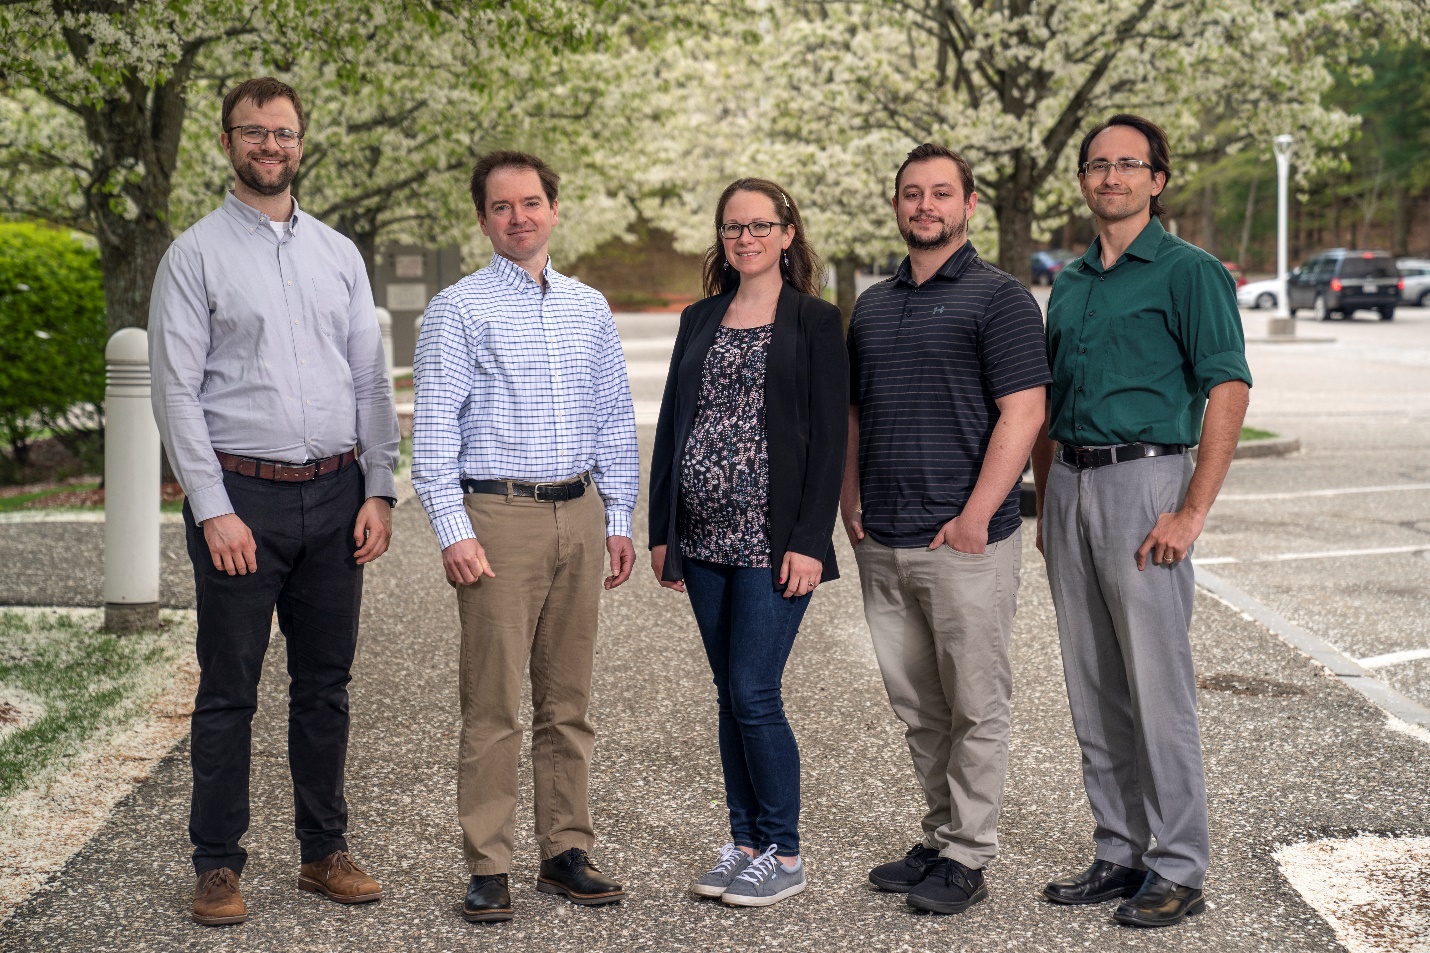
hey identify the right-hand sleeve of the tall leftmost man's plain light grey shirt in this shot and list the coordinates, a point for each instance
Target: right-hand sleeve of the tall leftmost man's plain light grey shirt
(378, 434)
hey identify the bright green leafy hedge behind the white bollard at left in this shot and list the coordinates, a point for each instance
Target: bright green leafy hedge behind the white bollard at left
(52, 336)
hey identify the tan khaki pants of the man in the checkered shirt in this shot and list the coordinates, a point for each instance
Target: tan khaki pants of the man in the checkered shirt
(538, 615)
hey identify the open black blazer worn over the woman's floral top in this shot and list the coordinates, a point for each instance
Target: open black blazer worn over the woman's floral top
(807, 420)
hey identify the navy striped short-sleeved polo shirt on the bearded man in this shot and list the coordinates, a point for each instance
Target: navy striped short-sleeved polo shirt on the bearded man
(926, 366)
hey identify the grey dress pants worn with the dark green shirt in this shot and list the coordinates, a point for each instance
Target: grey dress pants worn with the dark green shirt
(1128, 659)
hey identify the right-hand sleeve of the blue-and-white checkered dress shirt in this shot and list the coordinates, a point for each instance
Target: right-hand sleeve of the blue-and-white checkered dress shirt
(618, 456)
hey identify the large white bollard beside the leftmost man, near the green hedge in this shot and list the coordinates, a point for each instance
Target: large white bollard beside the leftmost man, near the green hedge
(131, 487)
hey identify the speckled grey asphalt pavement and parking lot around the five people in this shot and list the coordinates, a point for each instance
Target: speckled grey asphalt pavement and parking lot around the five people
(1292, 753)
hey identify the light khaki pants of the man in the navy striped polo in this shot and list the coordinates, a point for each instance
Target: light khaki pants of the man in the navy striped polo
(942, 623)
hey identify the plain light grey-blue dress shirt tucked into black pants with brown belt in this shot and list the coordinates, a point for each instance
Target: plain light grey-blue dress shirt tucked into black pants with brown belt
(268, 347)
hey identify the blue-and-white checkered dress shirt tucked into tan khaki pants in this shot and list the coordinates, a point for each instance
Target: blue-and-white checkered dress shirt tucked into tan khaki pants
(517, 384)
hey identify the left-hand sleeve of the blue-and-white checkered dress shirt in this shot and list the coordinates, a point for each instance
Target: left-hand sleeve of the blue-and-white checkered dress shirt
(443, 376)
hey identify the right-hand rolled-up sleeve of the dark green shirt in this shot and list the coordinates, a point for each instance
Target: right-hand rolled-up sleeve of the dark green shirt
(1210, 327)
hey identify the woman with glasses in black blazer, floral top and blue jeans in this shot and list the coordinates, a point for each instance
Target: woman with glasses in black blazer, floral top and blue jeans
(744, 490)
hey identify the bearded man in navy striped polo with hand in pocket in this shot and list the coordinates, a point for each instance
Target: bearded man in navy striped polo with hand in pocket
(947, 370)
